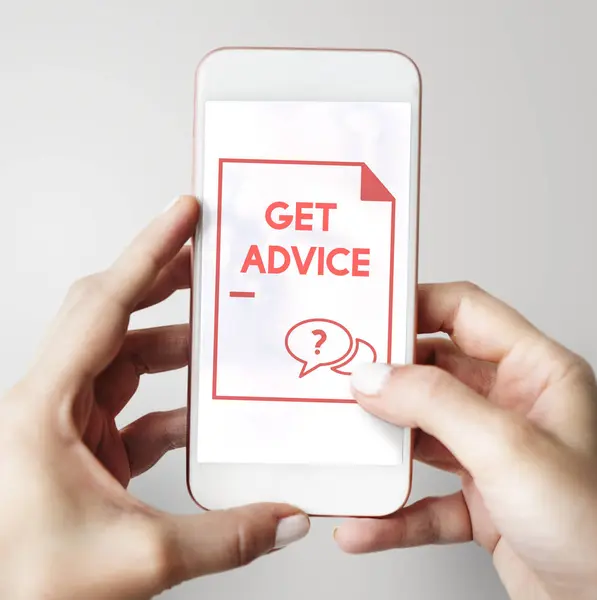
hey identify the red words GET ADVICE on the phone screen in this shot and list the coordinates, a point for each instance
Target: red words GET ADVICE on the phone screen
(305, 216)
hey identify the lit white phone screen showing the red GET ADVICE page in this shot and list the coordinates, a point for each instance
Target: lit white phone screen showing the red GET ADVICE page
(304, 271)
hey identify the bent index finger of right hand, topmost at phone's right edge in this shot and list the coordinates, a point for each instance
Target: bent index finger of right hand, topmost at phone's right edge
(482, 326)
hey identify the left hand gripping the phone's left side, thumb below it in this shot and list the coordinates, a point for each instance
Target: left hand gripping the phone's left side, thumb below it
(69, 528)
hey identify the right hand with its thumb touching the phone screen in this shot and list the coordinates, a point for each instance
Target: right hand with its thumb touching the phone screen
(514, 414)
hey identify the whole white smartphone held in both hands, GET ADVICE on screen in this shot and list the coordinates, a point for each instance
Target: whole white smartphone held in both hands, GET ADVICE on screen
(306, 165)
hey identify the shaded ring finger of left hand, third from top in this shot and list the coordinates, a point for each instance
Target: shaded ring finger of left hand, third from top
(153, 350)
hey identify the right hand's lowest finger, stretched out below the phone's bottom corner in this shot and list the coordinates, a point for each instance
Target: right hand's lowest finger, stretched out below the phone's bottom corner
(442, 520)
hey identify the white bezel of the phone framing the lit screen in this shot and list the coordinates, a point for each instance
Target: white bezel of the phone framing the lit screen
(317, 75)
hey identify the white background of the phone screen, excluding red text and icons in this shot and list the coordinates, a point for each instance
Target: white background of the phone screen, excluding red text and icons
(252, 357)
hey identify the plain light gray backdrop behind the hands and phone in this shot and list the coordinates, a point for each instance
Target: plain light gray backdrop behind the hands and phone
(95, 137)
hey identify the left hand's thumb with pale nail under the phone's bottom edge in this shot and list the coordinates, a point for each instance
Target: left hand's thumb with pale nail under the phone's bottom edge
(222, 540)
